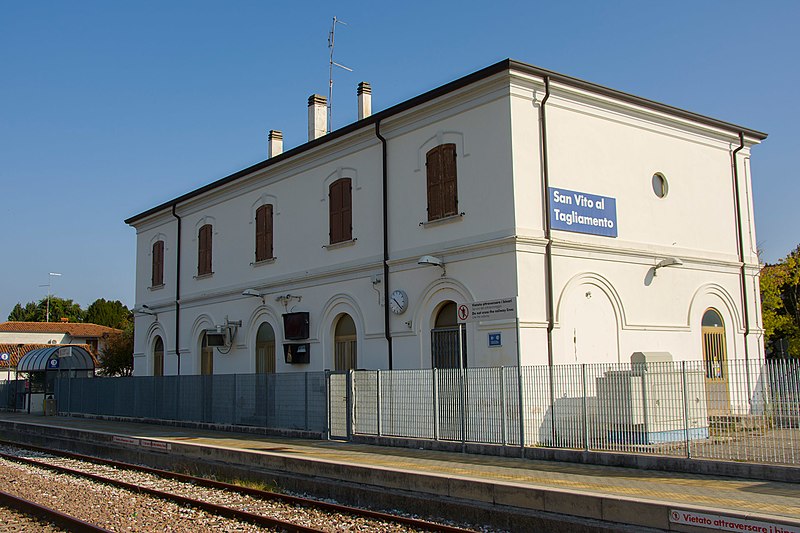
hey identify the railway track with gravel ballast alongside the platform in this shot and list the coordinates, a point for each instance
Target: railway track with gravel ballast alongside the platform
(235, 502)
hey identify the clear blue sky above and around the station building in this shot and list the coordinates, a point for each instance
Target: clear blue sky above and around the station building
(110, 108)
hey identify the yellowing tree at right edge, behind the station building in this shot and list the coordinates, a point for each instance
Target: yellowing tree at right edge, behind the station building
(780, 304)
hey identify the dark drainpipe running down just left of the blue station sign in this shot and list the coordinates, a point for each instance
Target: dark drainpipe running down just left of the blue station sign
(548, 254)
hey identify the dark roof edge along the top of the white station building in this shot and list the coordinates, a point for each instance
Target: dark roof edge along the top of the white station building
(501, 66)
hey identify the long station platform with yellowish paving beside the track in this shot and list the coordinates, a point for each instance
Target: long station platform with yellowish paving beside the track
(512, 493)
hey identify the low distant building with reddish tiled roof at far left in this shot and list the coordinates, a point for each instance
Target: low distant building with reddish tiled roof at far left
(49, 333)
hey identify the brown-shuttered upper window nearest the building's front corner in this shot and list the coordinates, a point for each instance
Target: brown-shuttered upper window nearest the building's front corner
(440, 164)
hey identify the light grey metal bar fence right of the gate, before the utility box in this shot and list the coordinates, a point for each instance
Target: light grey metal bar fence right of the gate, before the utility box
(741, 412)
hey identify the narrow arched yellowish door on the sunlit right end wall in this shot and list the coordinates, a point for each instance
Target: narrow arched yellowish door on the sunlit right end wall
(715, 363)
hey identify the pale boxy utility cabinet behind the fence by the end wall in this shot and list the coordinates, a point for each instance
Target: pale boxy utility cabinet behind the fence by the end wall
(654, 402)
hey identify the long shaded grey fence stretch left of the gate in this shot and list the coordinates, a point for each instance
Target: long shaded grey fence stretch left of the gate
(275, 401)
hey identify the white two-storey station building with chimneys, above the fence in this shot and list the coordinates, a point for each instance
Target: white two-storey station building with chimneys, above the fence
(610, 224)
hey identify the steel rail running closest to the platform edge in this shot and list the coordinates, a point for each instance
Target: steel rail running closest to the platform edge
(261, 494)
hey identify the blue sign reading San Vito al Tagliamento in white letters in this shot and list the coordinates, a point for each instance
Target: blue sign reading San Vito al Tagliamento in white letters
(581, 212)
